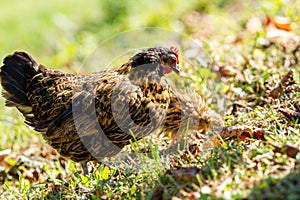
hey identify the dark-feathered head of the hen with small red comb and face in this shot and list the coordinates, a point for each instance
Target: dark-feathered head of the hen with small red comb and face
(164, 59)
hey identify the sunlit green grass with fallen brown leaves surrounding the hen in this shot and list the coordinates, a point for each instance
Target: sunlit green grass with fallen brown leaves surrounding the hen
(61, 34)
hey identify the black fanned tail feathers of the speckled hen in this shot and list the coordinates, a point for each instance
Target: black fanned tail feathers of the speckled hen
(15, 74)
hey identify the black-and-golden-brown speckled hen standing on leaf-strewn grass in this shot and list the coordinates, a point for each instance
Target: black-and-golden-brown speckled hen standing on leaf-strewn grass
(86, 118)
